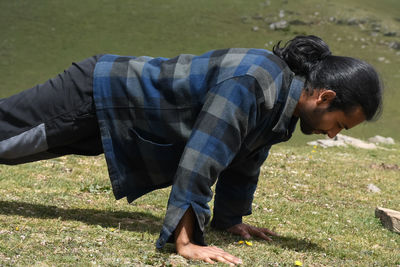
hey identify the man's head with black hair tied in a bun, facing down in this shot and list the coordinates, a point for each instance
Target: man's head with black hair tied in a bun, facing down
(338, 90)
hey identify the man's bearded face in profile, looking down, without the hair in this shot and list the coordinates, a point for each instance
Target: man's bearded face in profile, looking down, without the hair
(321, 121)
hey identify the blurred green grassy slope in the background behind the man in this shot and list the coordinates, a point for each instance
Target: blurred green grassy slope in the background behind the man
(39, 39)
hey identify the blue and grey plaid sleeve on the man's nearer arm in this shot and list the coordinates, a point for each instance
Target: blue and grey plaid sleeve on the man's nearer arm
(228, 114)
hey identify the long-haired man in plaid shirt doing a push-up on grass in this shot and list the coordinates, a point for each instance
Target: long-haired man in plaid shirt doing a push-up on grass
(189, 120)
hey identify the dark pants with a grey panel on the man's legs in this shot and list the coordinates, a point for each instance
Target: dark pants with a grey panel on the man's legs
(52, 119)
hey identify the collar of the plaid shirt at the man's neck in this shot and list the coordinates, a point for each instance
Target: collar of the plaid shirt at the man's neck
(295, 90)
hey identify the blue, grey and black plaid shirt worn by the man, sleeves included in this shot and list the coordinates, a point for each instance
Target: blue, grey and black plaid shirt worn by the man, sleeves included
(189, 120)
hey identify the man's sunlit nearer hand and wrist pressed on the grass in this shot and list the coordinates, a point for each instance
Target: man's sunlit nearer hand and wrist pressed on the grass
(186, 248)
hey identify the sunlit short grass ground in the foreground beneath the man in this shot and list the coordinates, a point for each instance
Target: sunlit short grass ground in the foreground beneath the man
(62, 212)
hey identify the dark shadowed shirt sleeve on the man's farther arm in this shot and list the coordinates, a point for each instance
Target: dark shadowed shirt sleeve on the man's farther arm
(235, 189)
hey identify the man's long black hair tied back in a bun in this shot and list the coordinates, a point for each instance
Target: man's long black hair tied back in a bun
(355, 82)
